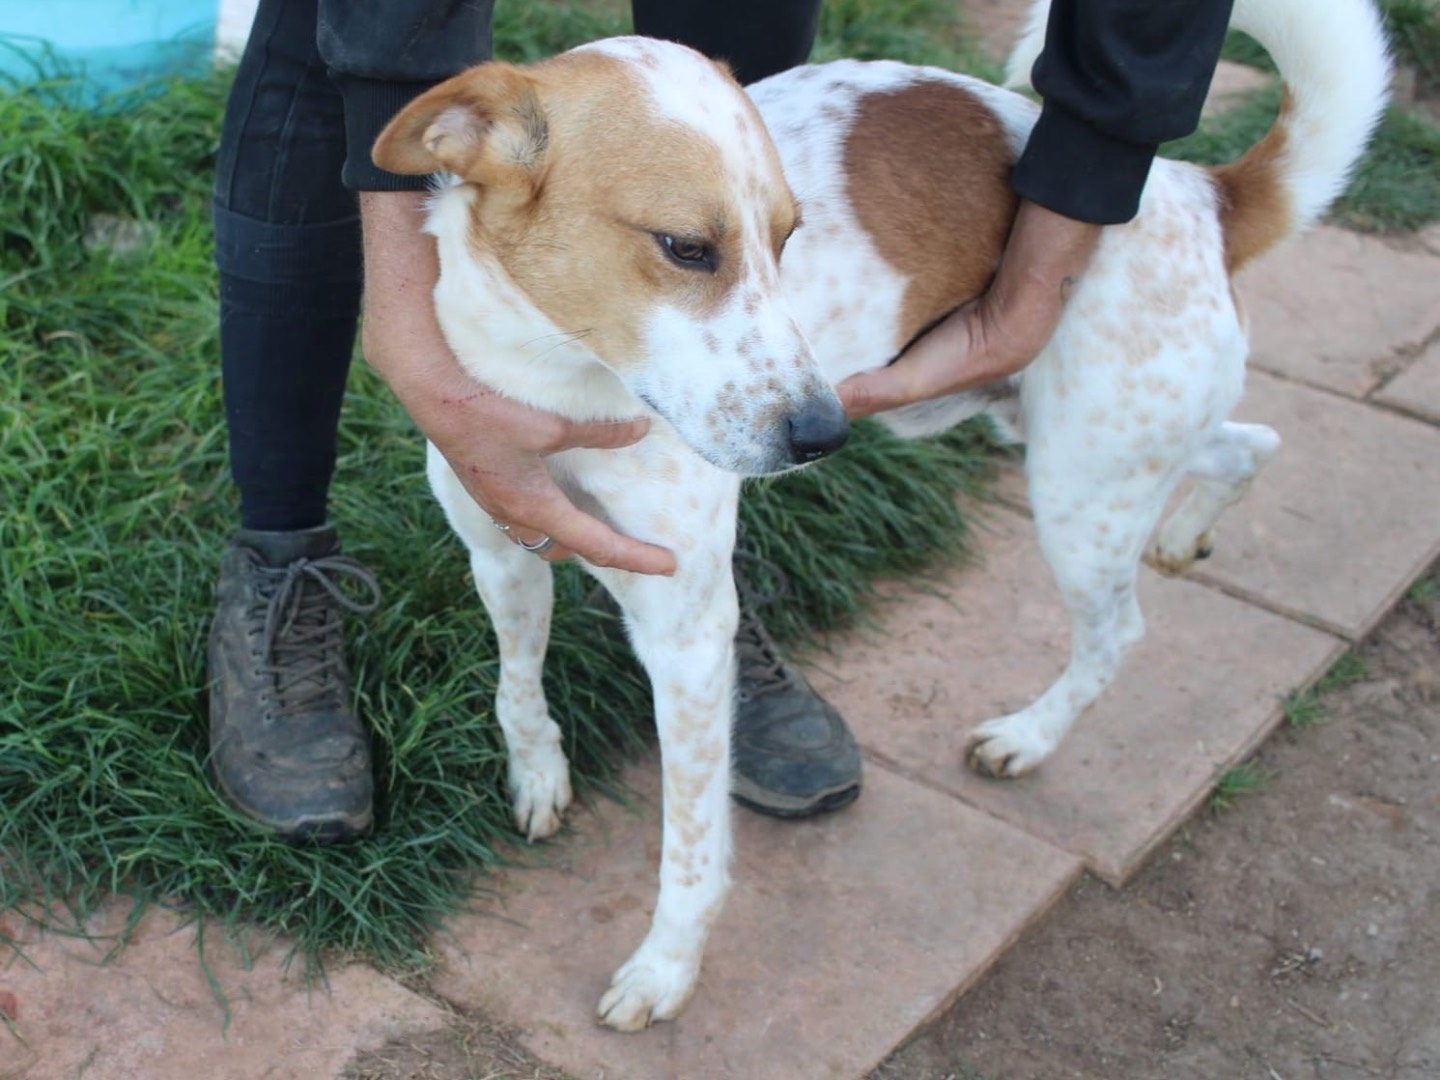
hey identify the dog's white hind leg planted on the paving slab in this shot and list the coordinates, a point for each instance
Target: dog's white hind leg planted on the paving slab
(1092, 536)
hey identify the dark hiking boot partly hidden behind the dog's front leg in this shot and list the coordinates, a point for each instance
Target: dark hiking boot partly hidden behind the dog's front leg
(793, 754)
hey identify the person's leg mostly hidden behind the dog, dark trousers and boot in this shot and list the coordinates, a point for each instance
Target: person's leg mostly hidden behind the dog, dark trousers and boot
(794, 755)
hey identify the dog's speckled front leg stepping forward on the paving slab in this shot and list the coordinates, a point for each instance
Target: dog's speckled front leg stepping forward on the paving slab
(685, 634)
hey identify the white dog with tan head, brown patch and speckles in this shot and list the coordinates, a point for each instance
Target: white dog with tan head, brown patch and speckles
(611, 227)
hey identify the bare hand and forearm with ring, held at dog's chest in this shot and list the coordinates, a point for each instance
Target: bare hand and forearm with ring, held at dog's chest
(496, 446)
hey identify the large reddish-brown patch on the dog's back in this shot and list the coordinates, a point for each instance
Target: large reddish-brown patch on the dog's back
(940, 217)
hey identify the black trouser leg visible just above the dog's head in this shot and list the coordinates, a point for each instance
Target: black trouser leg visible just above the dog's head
(757, 38)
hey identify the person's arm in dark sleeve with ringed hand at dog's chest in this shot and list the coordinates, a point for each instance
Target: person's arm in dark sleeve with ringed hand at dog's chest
(381, 55)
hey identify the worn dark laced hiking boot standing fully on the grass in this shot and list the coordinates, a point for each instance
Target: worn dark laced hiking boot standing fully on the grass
(286, 745)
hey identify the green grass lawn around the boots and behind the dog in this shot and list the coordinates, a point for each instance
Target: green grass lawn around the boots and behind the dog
(117, 502)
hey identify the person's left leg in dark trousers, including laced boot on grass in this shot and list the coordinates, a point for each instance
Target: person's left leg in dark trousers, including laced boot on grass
(287, 748)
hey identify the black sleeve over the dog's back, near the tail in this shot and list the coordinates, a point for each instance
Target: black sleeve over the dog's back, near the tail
(1118, 78)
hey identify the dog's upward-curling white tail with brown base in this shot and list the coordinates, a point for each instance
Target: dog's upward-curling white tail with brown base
(1336, 66)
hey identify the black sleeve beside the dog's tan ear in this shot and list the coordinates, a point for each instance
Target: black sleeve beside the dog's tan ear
(382, 54)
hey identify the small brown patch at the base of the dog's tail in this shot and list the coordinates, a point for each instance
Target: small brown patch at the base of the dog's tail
(1255, 210)
